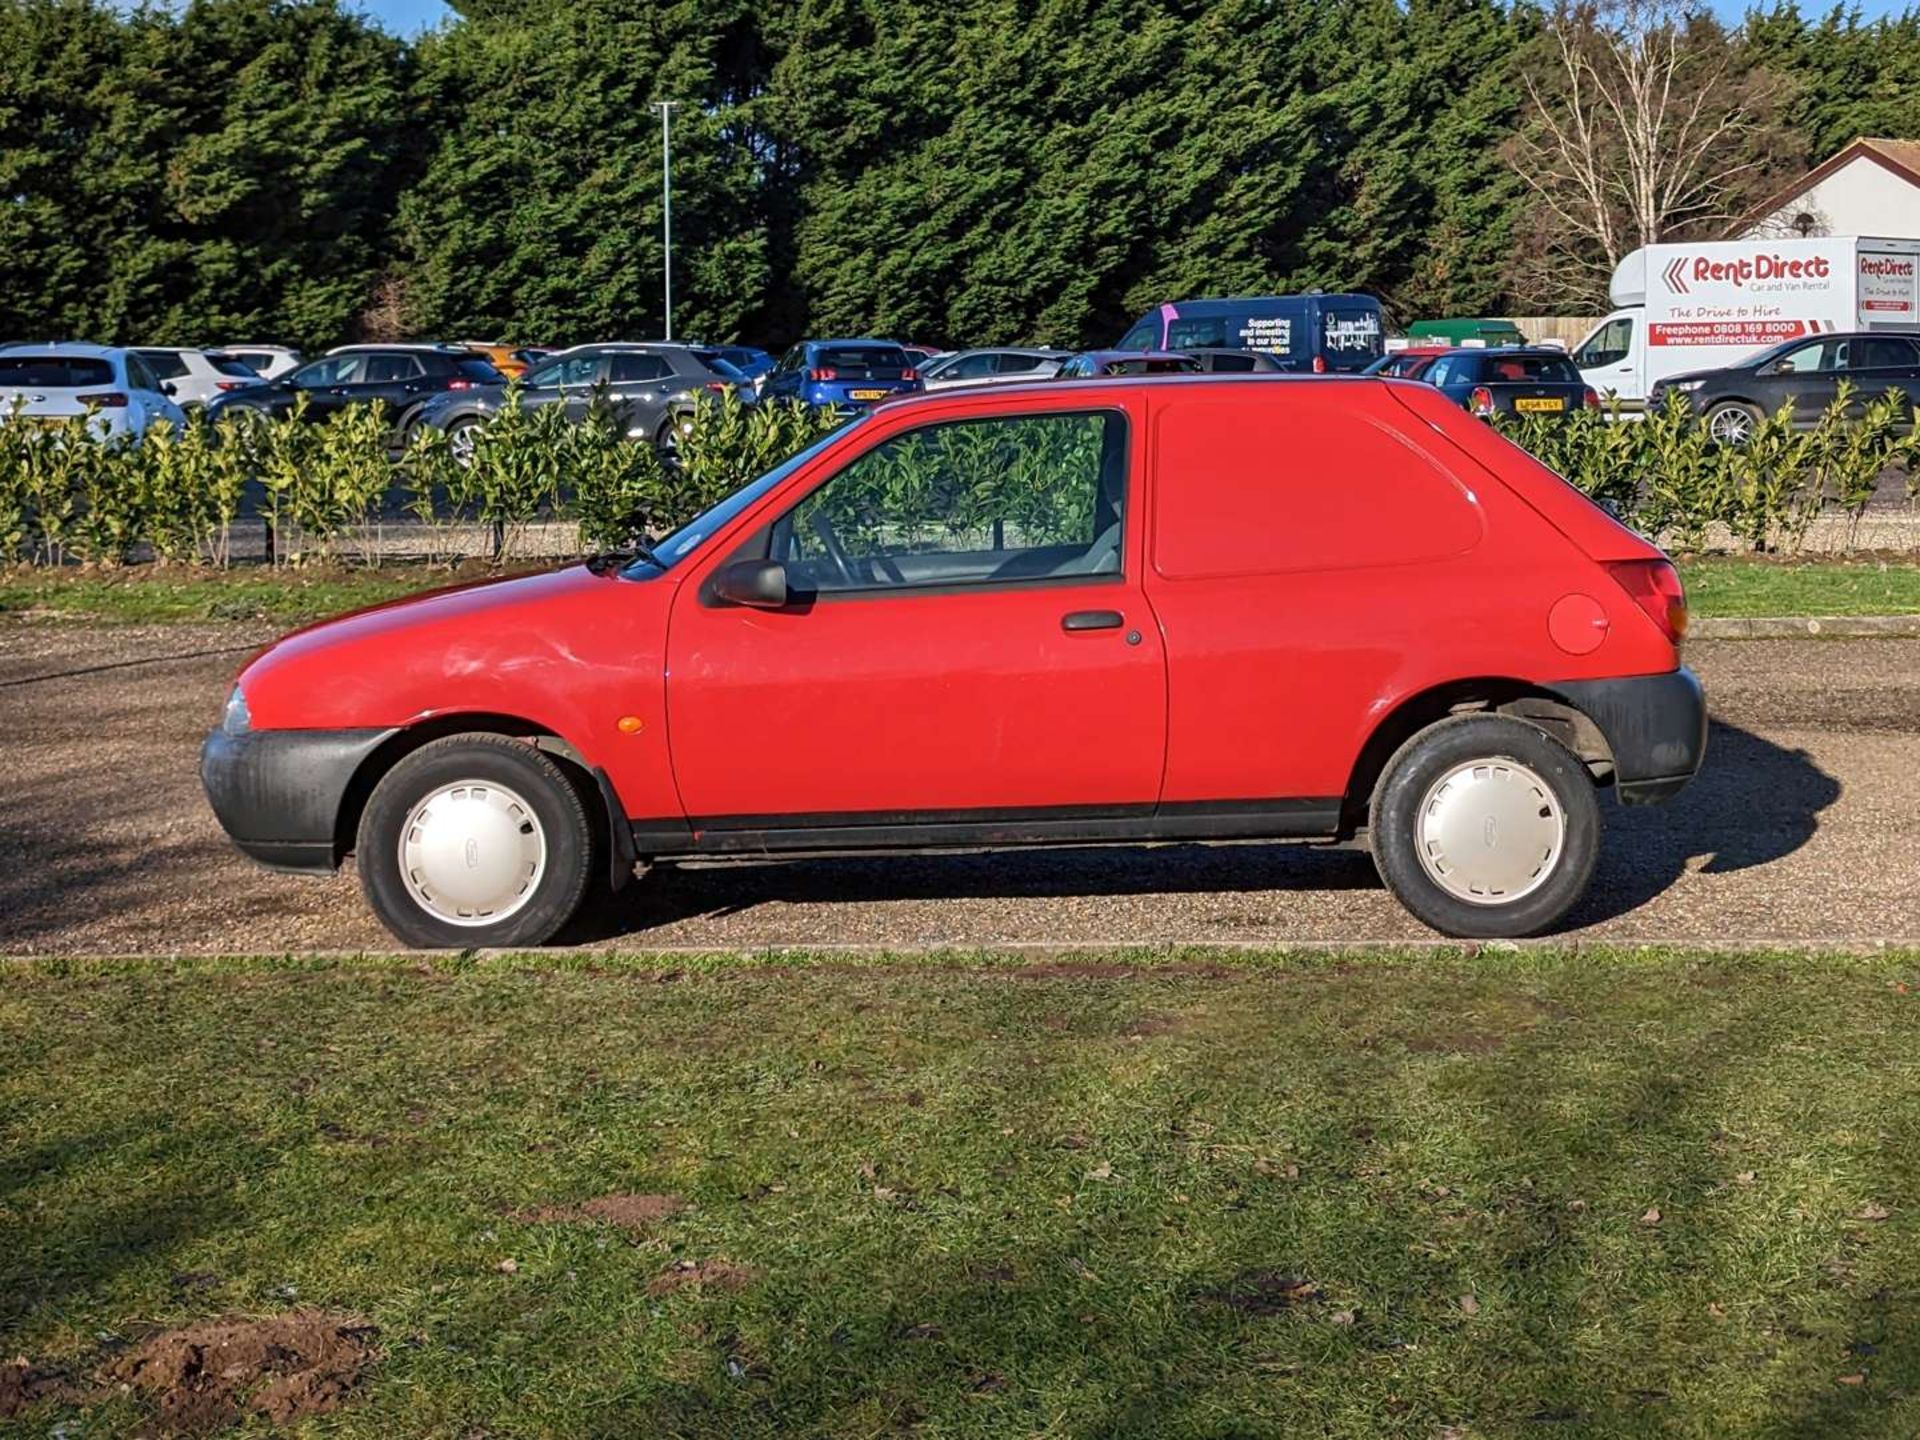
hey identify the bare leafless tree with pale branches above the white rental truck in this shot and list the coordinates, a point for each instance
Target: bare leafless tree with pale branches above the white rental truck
(1643, 122)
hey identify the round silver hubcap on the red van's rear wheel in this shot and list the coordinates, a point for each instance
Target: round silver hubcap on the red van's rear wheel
(1491, 832)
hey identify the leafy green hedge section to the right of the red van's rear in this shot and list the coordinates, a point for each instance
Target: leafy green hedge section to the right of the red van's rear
(1669, 479)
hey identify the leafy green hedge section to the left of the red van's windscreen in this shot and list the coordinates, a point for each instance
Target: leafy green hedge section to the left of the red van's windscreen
(66, 496)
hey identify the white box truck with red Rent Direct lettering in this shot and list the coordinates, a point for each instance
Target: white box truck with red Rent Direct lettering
(1704, 306)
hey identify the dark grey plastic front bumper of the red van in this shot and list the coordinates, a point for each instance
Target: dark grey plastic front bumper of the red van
(277, 794)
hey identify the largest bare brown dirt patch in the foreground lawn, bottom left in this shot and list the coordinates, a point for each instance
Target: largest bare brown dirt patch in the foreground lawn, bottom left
(277, 1368)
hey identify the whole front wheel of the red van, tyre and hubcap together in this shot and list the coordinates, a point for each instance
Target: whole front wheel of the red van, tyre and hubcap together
(475, 842)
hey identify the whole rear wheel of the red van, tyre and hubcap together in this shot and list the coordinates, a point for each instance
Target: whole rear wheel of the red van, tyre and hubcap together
(1487, 828)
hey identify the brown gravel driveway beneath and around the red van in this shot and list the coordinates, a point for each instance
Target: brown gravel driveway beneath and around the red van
(1806, 827)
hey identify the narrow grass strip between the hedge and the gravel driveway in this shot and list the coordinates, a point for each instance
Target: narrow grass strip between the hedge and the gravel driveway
(1717, 587)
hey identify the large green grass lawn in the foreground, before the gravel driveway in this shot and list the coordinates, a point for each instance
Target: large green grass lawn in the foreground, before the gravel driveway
(1502, 1195)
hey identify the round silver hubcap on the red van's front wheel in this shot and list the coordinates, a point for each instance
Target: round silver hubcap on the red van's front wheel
(473, 853)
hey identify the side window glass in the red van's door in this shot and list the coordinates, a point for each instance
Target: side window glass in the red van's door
(986, 502)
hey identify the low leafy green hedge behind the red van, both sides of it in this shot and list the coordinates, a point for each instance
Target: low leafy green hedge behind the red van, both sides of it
(66, 496)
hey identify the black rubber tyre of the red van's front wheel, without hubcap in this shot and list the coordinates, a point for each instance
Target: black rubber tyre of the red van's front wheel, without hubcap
(502, 761)
